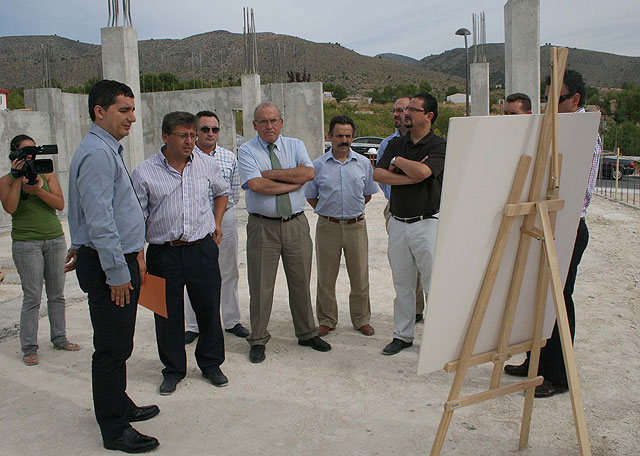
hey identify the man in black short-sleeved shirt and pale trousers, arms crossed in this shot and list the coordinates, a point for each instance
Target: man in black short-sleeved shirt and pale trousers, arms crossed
(412, 165)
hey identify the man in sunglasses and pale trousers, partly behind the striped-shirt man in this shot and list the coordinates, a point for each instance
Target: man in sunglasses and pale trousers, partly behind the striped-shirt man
(207, 130)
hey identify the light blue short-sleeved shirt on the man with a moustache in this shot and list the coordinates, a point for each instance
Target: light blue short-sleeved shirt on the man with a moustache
(341, 187)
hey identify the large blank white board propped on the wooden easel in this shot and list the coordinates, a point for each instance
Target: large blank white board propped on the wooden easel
(481, 160)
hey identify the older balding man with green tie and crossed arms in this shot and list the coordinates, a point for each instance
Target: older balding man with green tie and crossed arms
(273, 170)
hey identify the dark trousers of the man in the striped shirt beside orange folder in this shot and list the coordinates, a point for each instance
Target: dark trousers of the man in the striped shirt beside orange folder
(195, 266)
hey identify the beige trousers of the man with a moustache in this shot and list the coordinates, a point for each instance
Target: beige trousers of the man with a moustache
(331, 240)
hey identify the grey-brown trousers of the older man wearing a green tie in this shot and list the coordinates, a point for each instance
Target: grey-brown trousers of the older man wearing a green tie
(267, 241)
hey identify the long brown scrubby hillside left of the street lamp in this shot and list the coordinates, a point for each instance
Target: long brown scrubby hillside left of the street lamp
(210, 56)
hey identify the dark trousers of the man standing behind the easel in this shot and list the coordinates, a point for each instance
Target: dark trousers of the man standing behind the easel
(551, 365)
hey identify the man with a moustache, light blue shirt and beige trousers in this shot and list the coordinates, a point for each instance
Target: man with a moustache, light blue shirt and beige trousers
(342, 186)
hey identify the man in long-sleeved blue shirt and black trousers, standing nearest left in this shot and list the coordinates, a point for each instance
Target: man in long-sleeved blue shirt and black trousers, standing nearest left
(107, 240)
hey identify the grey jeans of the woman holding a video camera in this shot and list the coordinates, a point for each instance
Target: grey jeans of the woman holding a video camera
(35, 261)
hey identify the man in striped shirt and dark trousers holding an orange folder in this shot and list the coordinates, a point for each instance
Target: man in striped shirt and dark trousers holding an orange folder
(173, 187)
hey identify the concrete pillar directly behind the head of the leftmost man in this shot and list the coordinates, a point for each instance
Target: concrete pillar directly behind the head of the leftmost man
(120, 63)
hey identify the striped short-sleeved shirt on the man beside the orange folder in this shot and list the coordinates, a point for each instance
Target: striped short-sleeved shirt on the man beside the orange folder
(176, 206)
